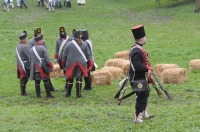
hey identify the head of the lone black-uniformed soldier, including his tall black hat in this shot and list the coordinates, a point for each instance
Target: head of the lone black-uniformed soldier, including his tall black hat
(139, 34)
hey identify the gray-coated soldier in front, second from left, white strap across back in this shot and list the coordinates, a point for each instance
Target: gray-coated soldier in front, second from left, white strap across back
(39, 59)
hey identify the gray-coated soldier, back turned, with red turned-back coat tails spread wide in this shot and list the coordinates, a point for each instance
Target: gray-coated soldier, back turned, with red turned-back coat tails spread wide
(75, 57)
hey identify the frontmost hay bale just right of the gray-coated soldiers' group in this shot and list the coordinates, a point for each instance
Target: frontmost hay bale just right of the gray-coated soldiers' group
(101, 77)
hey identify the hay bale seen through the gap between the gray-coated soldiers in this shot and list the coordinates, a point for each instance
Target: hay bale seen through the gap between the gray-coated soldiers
(57, 72)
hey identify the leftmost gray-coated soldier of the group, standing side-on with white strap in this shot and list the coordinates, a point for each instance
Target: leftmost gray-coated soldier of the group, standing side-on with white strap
(23, 67)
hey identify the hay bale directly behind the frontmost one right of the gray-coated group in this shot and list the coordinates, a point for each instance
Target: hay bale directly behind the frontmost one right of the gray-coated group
(116, 72)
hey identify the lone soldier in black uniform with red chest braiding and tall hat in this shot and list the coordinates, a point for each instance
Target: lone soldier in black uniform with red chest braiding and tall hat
(140, 69)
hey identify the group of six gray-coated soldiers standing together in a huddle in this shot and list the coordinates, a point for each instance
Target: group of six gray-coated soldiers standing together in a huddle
(74, 54)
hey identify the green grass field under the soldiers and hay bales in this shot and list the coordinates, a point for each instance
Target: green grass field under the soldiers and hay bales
(172, 37)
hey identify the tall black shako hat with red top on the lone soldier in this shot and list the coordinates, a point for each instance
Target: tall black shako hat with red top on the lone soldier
(138, 31)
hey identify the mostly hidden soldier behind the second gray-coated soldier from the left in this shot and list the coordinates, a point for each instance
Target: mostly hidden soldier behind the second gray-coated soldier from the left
(32, 42)
